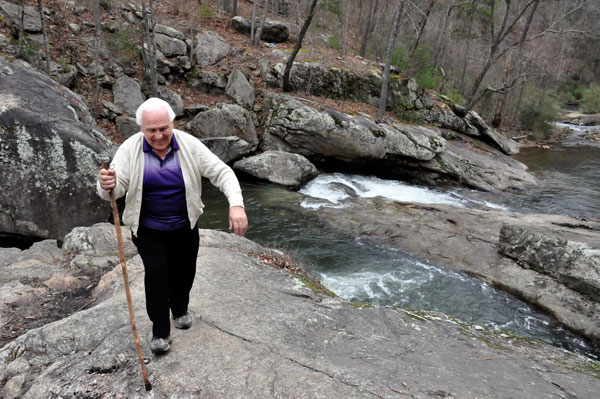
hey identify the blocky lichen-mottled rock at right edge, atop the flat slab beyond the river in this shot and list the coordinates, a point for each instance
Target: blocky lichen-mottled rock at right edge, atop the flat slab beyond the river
(574, 264)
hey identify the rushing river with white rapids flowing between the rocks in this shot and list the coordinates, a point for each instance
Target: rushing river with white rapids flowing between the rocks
(363, 272)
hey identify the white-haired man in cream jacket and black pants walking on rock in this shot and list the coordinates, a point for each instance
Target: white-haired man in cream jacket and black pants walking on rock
(160, 169)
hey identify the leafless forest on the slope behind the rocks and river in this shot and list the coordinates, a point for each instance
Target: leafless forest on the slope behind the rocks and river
(519, 63)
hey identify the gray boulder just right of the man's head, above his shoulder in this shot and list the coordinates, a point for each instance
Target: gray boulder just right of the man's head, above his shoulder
(222, 121)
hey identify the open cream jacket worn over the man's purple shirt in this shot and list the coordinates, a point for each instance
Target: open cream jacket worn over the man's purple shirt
(196, 161)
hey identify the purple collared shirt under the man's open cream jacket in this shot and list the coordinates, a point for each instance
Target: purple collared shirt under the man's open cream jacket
(163, 195)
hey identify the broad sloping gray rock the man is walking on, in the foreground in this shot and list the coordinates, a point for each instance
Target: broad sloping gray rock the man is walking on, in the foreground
(260, 332)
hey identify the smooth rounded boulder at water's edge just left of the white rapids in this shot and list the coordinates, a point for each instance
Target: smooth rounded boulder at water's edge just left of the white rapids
(278, 167)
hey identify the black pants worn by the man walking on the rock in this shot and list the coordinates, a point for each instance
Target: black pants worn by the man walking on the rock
(169, 258)
